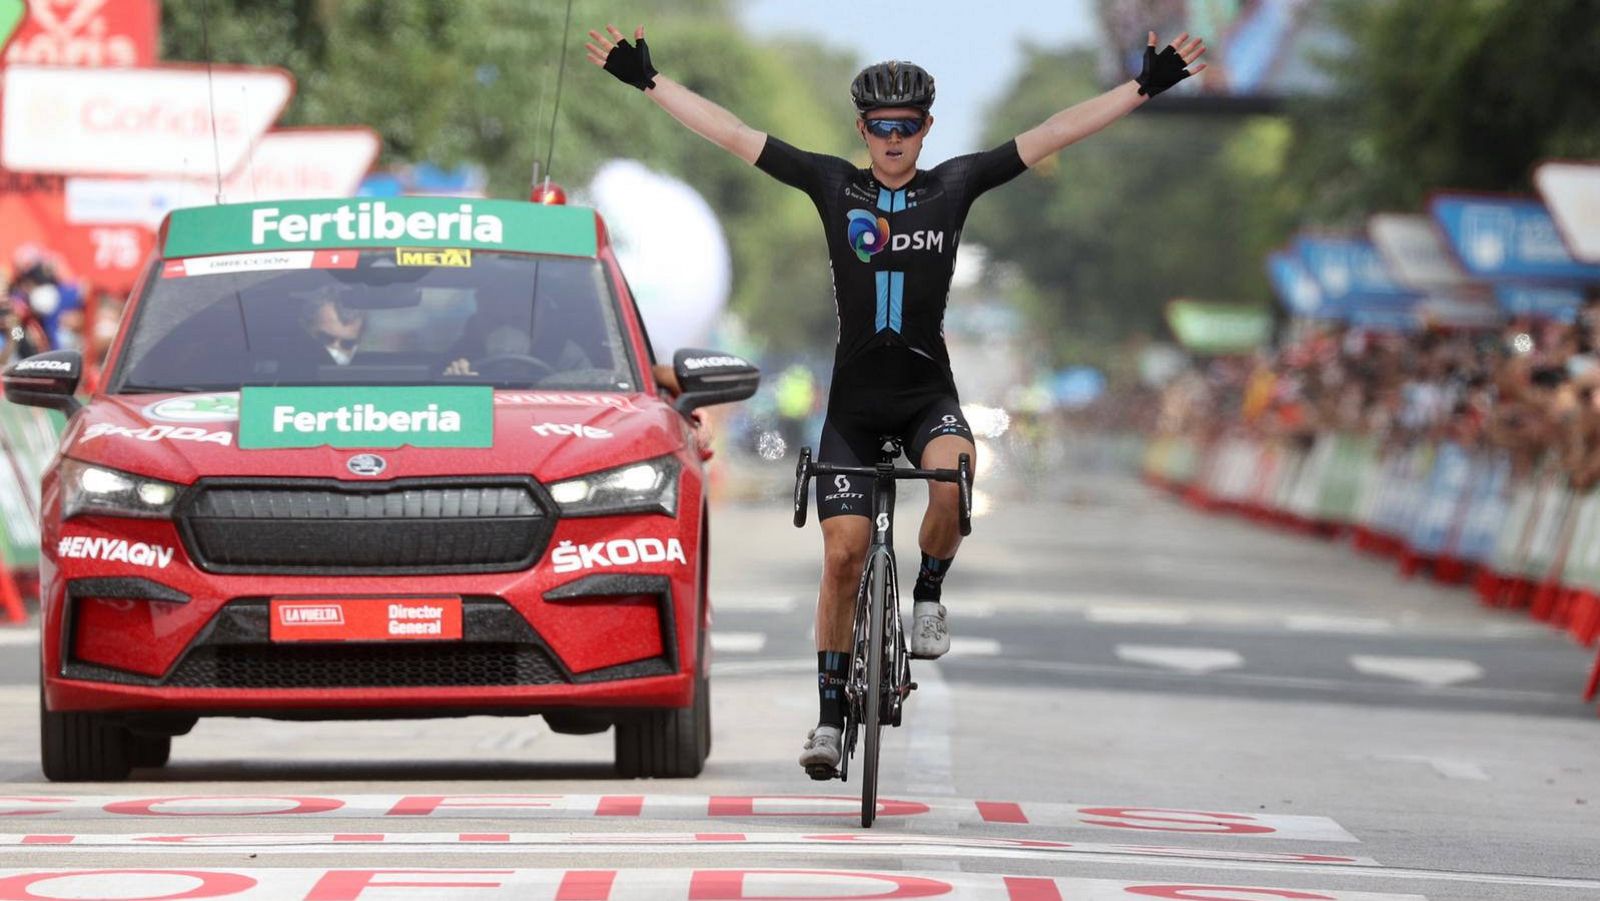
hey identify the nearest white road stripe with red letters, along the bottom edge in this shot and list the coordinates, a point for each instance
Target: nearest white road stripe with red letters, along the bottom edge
(311, 884)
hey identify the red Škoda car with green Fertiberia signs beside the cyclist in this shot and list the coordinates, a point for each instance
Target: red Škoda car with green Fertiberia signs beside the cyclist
(377, 459)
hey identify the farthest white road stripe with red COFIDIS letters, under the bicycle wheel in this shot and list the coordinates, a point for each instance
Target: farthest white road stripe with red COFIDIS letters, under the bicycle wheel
(761, 809)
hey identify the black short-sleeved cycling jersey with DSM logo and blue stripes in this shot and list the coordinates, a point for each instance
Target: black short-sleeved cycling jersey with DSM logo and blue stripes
(892, 252)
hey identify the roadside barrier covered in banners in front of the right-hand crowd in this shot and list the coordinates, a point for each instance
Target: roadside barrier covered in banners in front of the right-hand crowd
(1460, 516)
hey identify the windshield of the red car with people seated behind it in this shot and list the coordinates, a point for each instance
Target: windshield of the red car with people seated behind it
(414, 318)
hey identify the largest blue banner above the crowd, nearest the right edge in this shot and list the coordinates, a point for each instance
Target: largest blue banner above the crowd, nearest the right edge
(1508, 238)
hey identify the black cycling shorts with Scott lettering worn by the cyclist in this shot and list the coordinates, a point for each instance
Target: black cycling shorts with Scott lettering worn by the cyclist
(908, 398)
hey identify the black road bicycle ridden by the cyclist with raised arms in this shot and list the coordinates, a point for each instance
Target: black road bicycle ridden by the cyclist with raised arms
(879, 679)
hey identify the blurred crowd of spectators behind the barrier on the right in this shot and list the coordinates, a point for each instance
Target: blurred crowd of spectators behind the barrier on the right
(1527, 390)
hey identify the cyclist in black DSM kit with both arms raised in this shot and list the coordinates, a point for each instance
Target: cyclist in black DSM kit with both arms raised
(892, 233)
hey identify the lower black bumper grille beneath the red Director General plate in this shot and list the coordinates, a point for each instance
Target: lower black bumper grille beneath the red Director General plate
(366, 667)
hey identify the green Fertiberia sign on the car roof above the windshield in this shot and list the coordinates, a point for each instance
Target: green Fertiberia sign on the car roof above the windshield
(394, 222)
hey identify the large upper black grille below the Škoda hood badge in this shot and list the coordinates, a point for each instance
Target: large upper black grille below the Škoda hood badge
(394, 529)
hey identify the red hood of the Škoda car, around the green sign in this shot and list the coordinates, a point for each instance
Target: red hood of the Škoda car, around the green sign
(548, 434)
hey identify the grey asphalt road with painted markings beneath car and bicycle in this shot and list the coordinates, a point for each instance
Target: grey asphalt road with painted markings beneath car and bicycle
(1142, 703)
